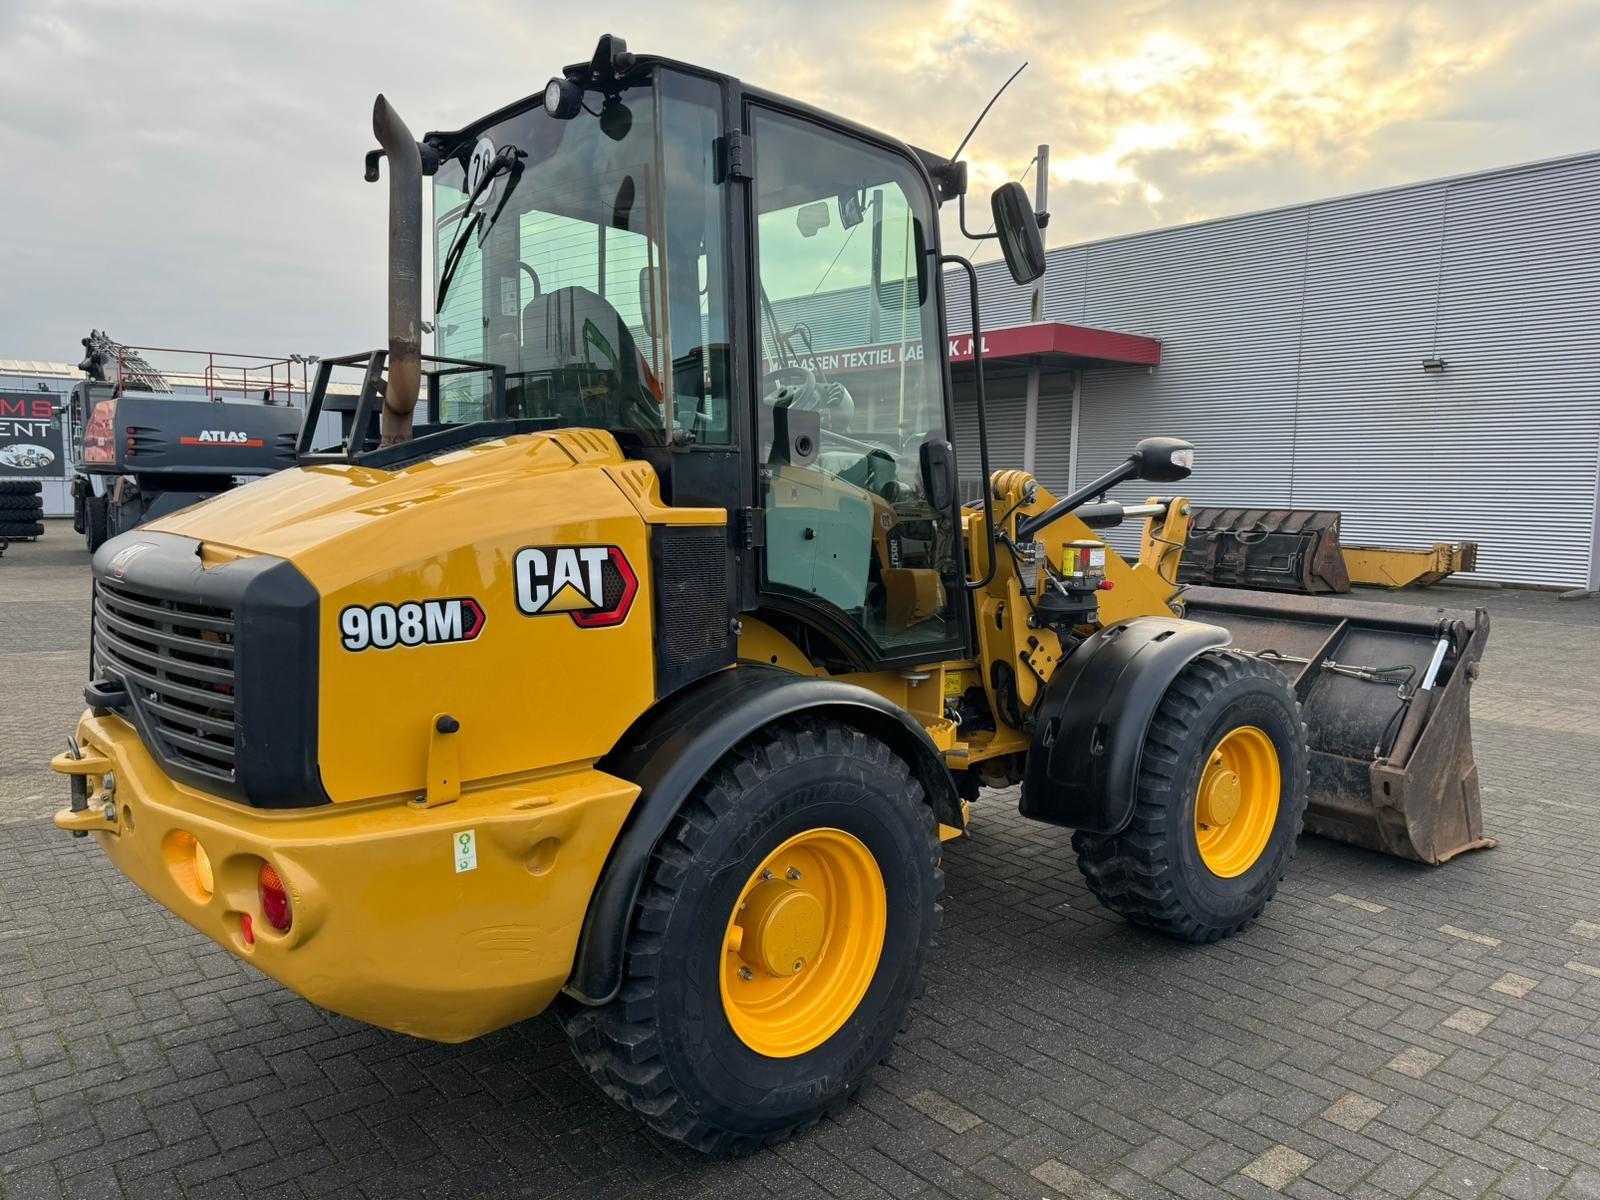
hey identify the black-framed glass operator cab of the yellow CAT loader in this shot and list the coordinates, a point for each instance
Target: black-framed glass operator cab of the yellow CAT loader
(742, 290)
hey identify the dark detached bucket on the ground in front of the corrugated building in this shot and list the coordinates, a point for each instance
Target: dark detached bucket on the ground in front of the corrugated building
(1279, 550)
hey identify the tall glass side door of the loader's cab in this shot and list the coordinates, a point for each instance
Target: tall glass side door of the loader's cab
(852, 390)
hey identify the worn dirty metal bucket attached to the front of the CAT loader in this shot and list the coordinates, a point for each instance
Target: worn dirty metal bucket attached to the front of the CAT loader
(1386, 695)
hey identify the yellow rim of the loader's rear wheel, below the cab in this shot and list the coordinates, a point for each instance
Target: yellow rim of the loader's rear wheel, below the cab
(802, 943)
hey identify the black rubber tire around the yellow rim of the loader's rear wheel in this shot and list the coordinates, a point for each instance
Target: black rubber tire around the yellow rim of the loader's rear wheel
(665, 1047)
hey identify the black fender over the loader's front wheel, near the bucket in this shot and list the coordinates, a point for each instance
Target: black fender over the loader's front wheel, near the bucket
(1084, 764)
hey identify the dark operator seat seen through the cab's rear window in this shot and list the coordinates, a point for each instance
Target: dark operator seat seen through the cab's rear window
(578, 330)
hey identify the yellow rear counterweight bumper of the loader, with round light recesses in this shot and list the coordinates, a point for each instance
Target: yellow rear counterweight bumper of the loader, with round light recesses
(393, 924)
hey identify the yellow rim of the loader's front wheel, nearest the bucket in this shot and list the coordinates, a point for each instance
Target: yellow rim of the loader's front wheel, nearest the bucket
(1238, 801)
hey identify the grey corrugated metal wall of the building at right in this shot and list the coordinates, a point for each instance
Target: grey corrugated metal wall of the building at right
(1294, 345)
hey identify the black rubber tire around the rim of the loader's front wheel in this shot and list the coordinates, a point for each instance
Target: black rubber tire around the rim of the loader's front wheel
(1153, 873)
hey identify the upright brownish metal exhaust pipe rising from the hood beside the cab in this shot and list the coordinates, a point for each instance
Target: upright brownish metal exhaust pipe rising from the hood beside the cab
(406, 271)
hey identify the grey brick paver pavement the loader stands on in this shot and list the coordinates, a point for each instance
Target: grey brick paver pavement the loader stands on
(1386, 1031)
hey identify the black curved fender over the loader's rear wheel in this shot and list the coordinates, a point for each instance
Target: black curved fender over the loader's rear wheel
(671, 750)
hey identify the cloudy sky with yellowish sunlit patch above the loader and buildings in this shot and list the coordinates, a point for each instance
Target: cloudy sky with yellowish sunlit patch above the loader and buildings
(190, 172)
